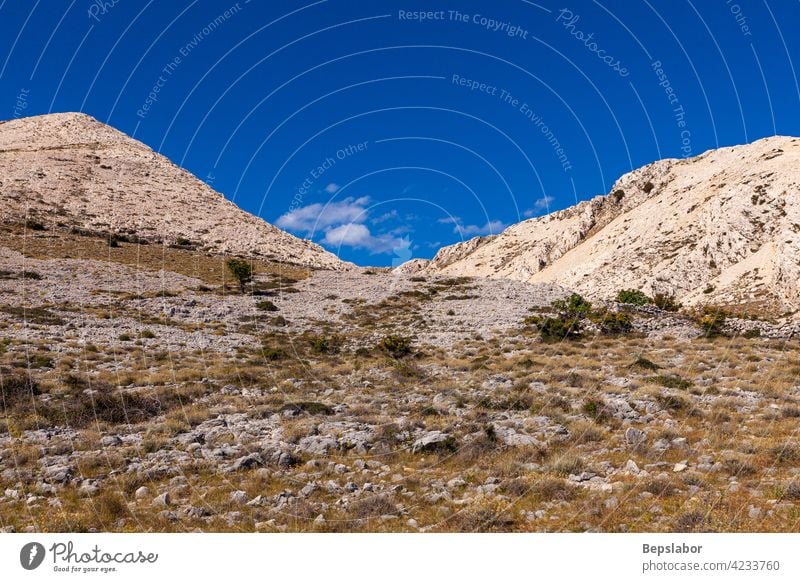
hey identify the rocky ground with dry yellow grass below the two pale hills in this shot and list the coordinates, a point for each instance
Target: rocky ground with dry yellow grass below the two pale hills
(142, 391)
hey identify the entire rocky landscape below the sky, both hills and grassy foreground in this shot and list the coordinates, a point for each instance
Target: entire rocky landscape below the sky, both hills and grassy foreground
(169, 362)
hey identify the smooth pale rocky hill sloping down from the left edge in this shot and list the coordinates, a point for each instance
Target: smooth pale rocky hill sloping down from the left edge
(69, 170)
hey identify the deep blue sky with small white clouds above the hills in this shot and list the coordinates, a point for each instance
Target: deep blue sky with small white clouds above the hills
(384, 130)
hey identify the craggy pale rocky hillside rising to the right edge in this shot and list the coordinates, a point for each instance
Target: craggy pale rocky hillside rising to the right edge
(722, 228)
